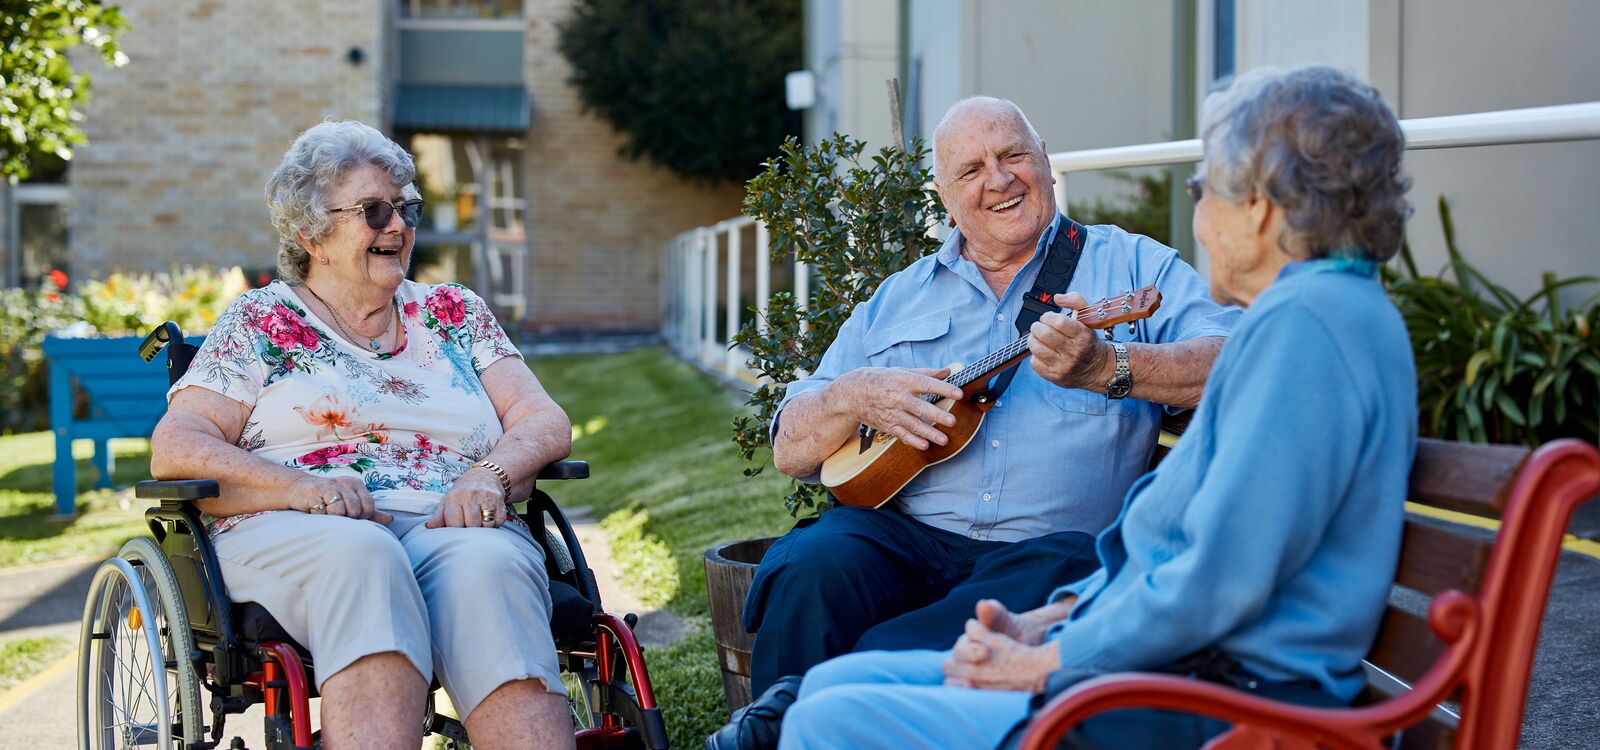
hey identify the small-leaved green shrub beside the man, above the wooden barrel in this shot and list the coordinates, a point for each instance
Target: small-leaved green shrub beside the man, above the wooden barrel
(855, 225)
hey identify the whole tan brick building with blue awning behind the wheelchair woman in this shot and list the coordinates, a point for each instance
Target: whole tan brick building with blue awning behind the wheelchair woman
(529, 201)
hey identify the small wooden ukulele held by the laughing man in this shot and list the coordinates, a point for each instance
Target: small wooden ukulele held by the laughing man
(871, 468)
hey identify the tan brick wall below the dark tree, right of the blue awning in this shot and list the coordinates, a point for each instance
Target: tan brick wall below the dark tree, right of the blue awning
(598, 223)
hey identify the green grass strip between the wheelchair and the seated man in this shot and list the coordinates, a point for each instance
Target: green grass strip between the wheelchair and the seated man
(668, 485)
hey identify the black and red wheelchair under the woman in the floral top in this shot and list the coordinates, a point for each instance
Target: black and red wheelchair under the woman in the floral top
(166, 656)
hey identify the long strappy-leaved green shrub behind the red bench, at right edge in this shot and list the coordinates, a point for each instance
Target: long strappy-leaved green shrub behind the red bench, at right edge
(1497, 369)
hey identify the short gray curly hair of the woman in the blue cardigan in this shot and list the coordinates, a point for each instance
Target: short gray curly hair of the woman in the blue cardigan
(1322, 146)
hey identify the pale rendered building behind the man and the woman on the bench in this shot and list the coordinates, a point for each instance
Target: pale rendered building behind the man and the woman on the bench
(1095, 74)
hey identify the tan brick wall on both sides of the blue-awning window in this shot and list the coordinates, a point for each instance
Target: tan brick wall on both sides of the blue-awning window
(183, 138)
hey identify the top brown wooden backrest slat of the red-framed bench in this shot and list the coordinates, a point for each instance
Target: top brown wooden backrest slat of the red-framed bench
(1471, 479)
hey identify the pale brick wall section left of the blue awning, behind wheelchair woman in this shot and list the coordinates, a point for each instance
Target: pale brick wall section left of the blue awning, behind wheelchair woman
(183, 138)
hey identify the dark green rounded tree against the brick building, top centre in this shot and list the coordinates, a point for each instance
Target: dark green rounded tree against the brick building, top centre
(695, 86)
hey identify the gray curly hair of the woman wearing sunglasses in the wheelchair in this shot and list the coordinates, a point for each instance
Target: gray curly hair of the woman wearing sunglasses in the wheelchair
(316, 164)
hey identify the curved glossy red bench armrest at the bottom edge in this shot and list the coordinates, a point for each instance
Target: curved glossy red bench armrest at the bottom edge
(1257, 722)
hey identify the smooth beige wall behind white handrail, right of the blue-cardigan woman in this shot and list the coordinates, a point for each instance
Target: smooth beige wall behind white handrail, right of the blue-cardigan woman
(1519, 210)
